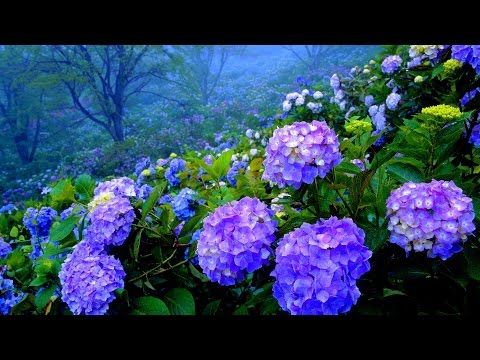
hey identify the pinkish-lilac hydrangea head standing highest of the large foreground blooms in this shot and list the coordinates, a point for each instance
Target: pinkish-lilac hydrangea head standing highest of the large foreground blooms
(300, 152)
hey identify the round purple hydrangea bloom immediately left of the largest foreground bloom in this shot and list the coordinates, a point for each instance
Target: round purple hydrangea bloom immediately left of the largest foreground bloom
(235, 240)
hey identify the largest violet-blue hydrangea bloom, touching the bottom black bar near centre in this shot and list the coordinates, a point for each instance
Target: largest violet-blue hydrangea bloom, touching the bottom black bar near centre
(318, 265)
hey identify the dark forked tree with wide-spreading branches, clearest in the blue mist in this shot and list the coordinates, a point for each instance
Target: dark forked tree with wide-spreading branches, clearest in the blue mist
(101, 79)
